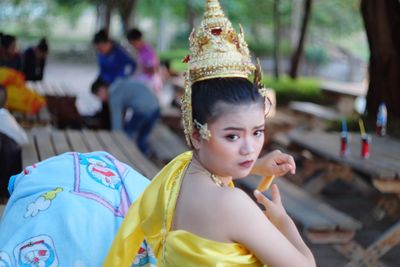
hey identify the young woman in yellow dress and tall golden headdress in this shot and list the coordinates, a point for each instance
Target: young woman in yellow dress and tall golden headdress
(191, 215)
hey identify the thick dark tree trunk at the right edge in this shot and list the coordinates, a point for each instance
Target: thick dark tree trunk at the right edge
(381, 21)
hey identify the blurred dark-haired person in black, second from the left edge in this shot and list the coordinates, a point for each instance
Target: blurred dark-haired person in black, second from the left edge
(34, 61)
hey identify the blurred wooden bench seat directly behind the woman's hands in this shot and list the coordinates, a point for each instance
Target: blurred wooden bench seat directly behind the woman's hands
(322, 224)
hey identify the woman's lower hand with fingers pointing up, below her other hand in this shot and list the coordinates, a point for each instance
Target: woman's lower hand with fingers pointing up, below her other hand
(274, 209)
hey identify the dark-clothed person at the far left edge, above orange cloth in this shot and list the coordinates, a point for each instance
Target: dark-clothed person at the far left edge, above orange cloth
(10, 56)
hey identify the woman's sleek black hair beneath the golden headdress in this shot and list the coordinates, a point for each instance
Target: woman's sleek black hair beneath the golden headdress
(206, 94)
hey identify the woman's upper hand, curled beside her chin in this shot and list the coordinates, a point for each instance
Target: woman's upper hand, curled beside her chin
(274, 163)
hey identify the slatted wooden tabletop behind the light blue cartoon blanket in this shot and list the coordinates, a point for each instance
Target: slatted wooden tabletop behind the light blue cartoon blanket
(45, 143)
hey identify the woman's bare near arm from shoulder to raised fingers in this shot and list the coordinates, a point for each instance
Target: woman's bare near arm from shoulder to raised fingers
(271, 236)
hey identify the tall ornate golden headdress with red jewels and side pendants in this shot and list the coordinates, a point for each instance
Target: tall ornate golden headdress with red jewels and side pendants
(216, 50)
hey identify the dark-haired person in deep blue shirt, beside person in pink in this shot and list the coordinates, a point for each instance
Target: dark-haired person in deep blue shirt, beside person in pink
(114, 61)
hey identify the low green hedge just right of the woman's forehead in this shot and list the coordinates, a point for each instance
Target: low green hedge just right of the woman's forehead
(301, 89)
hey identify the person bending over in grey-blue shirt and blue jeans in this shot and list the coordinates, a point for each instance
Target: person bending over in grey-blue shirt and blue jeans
(125, 94)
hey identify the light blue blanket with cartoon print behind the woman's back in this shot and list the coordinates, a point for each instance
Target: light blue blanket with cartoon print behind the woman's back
(66, 210)
